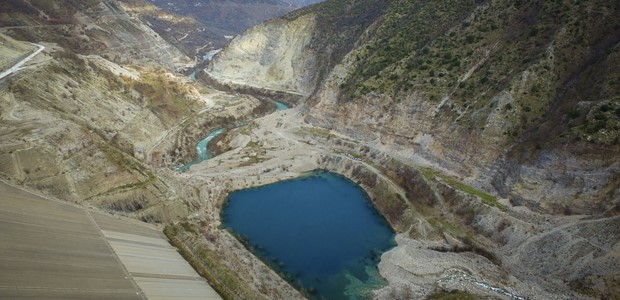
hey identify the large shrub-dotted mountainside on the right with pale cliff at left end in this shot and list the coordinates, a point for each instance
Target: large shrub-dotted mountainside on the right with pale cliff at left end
(517, 97)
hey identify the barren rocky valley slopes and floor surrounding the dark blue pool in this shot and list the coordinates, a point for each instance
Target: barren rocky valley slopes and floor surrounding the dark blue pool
(505, 187)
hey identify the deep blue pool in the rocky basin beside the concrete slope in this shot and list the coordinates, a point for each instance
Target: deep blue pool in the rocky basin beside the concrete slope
(320, 232)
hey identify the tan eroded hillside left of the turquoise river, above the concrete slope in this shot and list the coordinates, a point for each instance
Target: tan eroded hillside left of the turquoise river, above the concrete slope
(91, 117)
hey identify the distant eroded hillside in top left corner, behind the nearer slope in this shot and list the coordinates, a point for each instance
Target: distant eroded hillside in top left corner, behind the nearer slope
(88, 27)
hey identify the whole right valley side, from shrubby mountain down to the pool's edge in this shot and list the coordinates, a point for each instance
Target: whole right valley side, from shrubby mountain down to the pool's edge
(499, 120)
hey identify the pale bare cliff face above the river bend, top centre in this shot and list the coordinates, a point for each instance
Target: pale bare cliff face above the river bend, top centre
(273, 55)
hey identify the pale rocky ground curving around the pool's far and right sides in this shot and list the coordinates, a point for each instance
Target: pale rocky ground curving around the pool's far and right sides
(497, 251)
